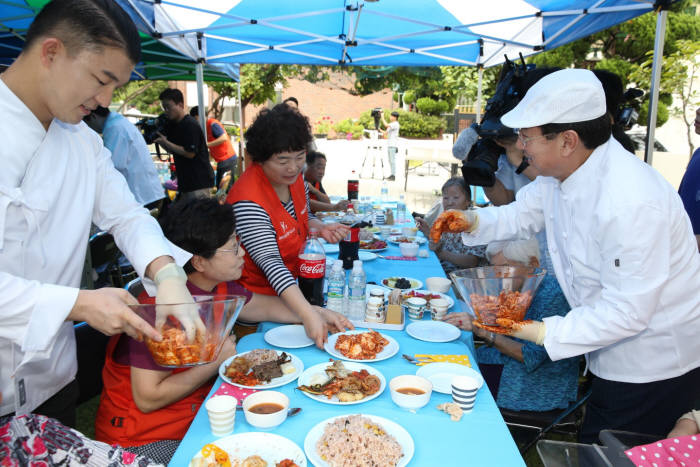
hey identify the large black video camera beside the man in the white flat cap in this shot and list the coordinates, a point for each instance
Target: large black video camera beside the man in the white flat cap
(482, 155)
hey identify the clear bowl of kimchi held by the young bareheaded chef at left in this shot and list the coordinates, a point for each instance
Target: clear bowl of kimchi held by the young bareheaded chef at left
(218, 313)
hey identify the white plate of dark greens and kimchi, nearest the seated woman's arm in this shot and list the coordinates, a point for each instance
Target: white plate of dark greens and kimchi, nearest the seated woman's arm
(261, 369)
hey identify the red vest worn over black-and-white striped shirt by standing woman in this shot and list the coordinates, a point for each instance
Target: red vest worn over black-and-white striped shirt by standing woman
(254, 186)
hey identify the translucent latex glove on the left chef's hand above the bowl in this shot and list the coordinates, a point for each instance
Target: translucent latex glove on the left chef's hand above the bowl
(172, 289)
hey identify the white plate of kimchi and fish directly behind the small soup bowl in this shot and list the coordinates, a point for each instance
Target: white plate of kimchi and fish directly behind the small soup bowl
(341, 383)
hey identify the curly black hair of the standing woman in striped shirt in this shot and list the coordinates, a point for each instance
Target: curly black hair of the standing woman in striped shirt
(279, 129)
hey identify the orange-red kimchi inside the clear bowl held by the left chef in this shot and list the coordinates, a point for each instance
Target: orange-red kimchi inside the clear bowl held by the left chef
(174, 350)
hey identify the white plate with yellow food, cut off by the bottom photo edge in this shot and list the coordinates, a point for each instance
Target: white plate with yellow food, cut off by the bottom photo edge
(254, 449)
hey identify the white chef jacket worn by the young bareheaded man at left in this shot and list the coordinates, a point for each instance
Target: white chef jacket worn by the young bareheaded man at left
(52, 185)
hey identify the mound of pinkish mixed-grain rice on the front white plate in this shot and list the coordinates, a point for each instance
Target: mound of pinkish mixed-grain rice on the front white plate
(356, 441)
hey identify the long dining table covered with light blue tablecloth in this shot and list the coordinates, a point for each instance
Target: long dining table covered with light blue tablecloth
(480, 438)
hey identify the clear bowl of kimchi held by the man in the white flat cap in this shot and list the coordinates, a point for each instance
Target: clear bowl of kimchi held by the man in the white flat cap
(499, 295)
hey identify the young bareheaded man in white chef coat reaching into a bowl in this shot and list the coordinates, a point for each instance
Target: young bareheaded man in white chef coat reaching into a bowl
(56, 179)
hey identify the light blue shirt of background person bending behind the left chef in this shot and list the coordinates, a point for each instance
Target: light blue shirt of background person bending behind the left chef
(132, 158)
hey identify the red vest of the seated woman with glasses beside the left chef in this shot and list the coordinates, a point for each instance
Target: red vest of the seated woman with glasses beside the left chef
(119, 420)
